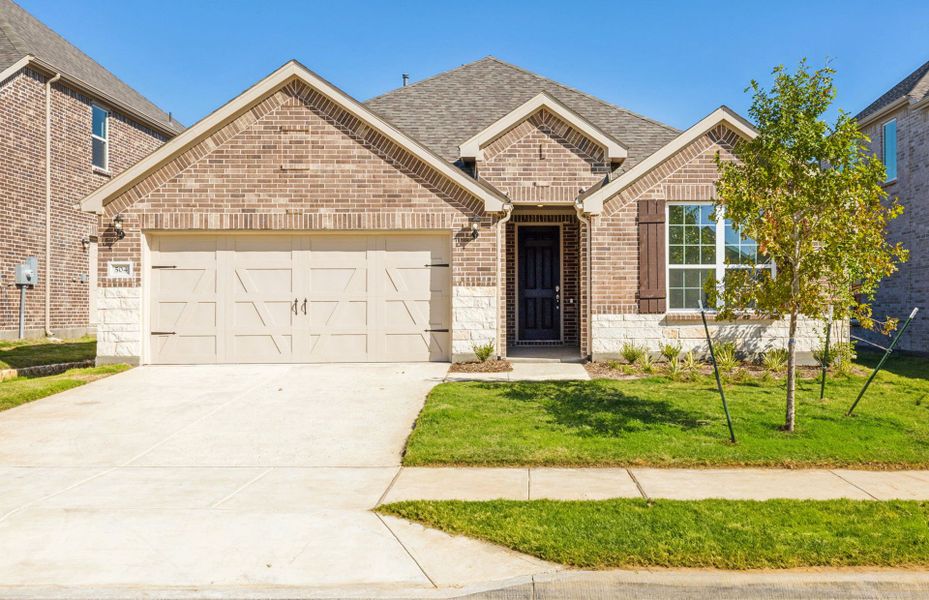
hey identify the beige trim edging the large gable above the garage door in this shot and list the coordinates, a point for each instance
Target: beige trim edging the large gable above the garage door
(291, 71)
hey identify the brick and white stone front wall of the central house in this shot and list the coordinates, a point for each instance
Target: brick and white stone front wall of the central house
(295, 160)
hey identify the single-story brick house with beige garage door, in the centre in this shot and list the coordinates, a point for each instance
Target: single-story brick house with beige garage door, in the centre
(483, 205)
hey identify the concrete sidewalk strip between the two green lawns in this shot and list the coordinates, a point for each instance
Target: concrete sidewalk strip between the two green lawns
(451, 483)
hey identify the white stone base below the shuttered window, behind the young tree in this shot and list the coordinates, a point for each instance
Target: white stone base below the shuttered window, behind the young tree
(752, 338)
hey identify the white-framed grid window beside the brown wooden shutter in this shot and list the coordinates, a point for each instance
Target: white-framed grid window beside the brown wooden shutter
(702, 245)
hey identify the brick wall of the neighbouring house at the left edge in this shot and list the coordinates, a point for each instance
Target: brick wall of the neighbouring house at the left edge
(22, 181)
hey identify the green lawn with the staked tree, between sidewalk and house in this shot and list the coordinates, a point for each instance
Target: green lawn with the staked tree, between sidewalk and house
(656, 421)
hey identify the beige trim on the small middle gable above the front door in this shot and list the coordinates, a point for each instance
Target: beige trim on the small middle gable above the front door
(473, 148)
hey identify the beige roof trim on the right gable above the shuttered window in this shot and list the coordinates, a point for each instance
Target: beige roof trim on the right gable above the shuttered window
(723, 115)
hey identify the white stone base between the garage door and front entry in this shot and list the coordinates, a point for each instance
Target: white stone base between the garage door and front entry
(474, 319)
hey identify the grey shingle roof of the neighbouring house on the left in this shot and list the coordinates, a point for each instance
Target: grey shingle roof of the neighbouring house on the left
(21, 34)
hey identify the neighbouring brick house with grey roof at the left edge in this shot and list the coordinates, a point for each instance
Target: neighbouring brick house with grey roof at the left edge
(57, 102)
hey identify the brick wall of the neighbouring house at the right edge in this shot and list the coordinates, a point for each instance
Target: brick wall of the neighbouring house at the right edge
(909, 286)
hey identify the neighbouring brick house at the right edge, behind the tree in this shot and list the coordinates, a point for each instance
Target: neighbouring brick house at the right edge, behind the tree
(898, 125)
